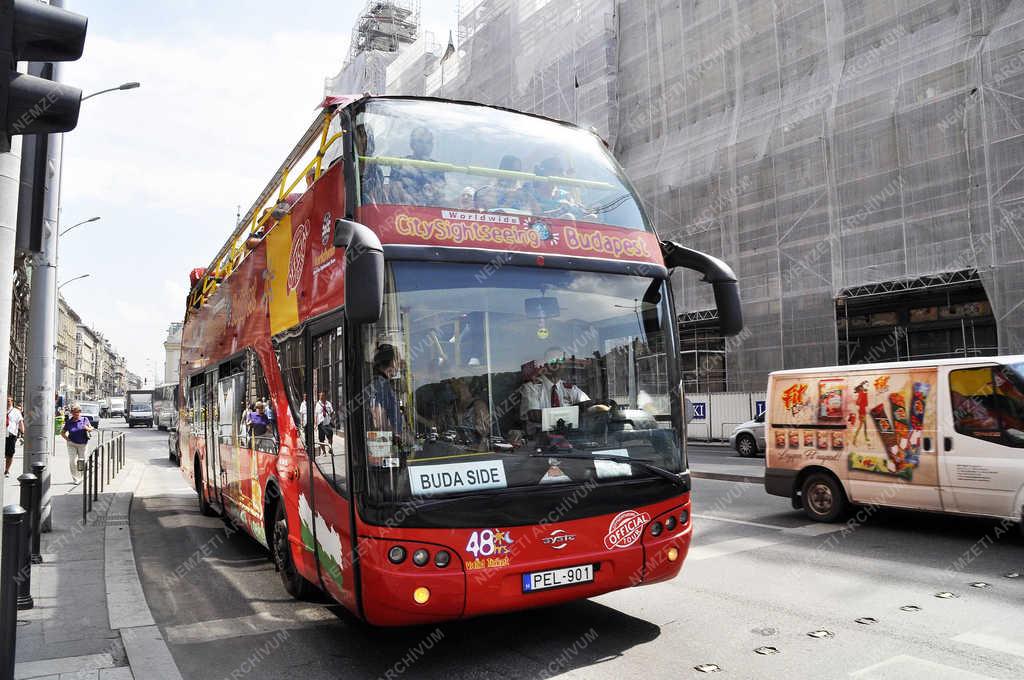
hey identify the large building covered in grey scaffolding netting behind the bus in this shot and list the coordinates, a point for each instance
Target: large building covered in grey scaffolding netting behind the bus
(860, 164)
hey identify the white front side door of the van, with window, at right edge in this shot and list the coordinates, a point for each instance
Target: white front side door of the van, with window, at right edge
(983, 448)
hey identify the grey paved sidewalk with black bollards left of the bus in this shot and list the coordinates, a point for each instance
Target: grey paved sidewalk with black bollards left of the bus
(91, 619)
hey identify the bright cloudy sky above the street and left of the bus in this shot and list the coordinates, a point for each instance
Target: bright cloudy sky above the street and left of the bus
(227, 90)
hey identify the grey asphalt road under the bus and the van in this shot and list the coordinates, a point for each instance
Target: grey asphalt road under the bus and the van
(760, 577)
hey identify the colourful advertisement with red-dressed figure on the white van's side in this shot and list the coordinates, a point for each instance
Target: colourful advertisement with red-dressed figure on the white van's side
(864, 426)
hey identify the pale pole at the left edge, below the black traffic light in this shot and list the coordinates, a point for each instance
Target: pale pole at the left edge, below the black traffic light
(11, 169)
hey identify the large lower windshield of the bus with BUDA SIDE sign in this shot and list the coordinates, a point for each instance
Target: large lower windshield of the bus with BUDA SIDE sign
(486, 379)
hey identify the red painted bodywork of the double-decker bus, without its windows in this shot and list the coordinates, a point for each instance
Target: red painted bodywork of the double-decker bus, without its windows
(295, 275)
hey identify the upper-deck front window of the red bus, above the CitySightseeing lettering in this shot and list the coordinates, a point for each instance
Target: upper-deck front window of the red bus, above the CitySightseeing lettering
(444, 155)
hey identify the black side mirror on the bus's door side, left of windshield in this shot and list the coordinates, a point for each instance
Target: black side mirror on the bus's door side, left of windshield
(364, 271)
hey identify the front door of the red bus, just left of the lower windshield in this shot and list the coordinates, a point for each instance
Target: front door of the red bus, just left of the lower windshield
(328, 442)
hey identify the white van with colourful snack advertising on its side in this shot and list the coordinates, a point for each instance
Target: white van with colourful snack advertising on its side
(946, 436)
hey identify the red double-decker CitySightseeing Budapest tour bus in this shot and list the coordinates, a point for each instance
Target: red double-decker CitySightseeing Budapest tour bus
(436, 370)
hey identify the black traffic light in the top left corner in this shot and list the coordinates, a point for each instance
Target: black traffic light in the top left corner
(34, 31)
